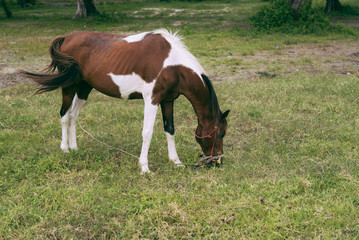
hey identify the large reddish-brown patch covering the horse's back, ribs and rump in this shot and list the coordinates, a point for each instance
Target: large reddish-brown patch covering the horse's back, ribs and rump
(99, 54)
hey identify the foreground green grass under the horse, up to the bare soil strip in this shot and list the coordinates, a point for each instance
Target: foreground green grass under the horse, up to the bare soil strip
(292, 141)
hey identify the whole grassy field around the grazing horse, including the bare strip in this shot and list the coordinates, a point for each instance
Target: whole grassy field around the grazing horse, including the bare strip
(291, 153)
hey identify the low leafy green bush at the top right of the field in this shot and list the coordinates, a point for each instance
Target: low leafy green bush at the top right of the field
(278, 16)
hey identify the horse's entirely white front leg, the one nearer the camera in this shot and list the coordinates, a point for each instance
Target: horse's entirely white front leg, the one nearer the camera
(148, 123)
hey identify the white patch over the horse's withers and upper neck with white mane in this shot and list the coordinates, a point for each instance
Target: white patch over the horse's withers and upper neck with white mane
(179, 55)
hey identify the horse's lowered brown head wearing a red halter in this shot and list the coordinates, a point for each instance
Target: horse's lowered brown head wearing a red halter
(211, 138)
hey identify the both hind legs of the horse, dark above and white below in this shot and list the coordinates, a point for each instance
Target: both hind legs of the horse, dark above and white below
(74, 98)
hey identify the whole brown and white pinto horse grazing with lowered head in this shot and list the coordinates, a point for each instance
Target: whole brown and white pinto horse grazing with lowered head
(154, 66)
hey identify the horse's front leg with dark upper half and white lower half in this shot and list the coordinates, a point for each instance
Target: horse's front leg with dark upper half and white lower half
(167, 115)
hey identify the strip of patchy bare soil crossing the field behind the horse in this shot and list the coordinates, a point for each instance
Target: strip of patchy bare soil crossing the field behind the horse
(339, 57)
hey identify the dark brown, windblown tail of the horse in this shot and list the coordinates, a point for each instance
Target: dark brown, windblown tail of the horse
(68, 70)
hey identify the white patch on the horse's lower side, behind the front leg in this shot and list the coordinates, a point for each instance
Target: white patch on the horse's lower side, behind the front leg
(128, 83)
